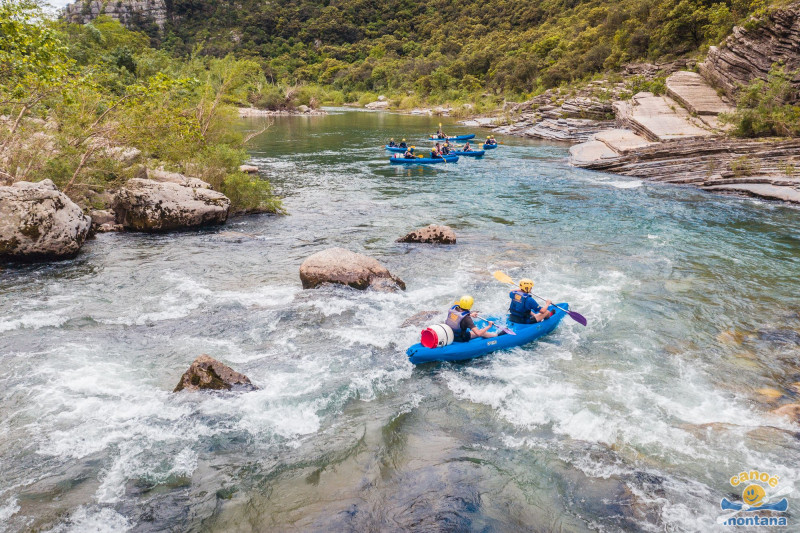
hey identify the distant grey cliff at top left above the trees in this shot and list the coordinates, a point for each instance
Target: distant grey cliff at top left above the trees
(131, 13)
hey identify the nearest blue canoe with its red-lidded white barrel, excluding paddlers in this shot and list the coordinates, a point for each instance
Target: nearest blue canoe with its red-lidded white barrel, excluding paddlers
(439, 345)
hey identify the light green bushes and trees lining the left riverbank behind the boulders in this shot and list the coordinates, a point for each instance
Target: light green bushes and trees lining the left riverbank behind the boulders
(78, 101)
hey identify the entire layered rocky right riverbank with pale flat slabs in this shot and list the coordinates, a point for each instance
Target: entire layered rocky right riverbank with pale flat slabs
(677, 136)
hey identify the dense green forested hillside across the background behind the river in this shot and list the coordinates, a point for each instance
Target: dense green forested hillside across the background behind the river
(443, 50)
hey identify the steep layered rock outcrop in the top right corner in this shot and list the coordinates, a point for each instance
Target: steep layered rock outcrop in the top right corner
(748, 54)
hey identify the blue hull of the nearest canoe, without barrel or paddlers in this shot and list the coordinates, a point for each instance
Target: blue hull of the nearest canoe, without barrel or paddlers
(460, 351)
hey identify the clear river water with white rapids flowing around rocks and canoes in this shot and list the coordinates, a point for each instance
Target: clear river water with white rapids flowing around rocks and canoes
(633, 423)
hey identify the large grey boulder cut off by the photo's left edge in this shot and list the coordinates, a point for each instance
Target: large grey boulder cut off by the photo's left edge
(37, 221)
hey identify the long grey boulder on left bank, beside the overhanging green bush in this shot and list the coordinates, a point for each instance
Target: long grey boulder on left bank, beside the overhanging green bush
(147, 205)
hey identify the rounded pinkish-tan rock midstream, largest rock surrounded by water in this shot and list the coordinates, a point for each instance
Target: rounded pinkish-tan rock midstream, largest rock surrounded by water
(337, 265)
